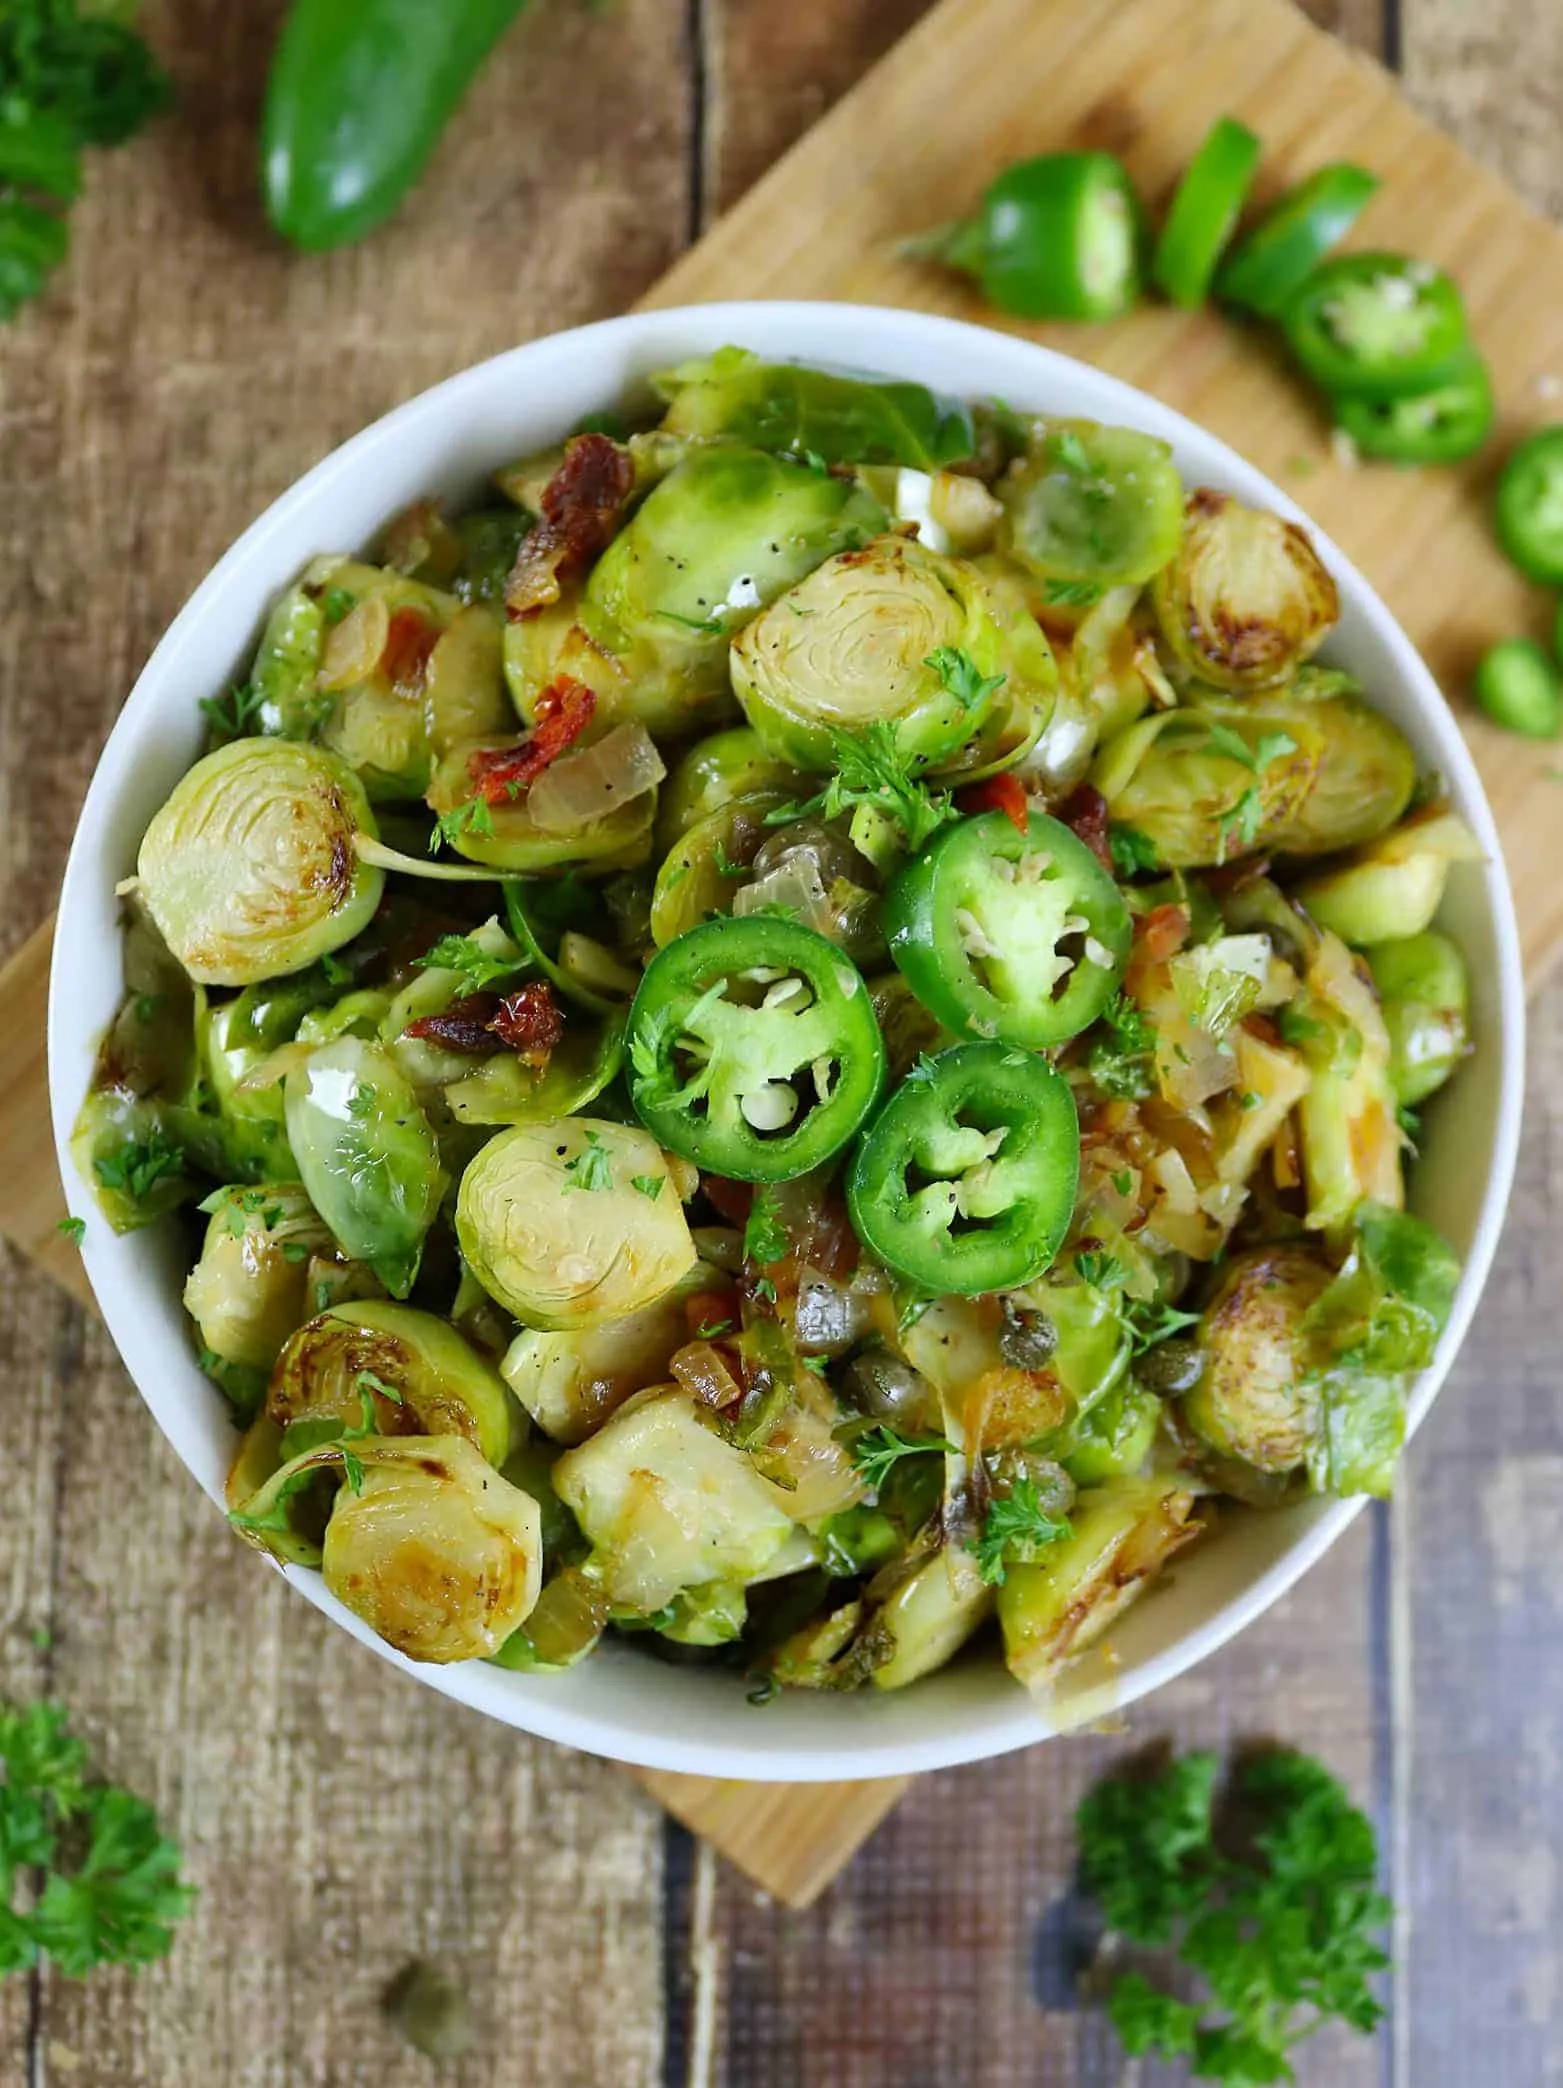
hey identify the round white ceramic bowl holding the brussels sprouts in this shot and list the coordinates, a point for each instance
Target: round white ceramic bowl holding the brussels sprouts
(621, 1703)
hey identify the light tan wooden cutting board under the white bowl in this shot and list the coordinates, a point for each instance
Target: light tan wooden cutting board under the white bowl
(978, 85)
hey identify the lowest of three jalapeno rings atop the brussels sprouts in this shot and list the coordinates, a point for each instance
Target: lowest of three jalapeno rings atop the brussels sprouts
(965, 1183)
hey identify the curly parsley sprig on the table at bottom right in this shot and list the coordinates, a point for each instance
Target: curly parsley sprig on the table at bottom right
(1278, 1928)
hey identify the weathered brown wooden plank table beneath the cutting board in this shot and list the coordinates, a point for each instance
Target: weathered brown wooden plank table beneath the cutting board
(339, 1822)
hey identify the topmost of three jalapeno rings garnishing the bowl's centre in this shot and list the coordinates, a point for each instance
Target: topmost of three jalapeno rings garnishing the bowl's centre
(1005, 934)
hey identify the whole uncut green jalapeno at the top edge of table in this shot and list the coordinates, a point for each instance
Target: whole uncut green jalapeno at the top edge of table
(358, 99)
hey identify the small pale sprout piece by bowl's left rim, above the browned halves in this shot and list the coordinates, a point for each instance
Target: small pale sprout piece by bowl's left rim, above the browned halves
(251, 1287)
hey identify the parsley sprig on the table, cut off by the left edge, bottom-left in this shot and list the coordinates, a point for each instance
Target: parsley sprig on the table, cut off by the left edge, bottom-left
(112, 1887)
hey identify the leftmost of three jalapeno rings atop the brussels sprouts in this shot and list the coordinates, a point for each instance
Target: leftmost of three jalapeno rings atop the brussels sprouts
(754, 1049)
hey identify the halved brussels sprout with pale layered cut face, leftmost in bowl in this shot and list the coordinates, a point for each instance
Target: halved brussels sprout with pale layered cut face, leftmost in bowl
(251, 872)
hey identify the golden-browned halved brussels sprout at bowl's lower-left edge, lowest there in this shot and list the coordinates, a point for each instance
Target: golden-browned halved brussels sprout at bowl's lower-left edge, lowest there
(437, 1552)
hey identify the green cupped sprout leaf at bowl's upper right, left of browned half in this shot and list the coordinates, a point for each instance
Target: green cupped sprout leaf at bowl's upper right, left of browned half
(1092, 508)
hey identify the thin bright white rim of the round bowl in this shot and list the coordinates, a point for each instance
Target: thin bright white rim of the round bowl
(969, 1736)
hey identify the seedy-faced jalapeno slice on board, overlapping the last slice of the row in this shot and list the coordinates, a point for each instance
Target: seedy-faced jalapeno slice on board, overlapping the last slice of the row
(1378, 327)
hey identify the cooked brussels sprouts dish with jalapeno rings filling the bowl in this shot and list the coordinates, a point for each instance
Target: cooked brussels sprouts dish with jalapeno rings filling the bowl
(796, 1041)
